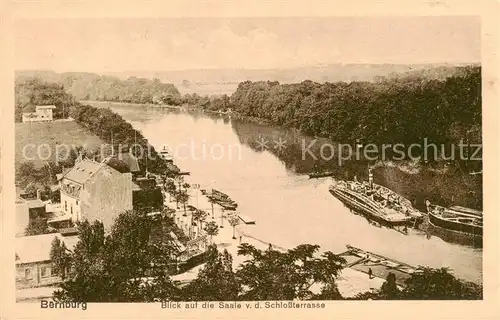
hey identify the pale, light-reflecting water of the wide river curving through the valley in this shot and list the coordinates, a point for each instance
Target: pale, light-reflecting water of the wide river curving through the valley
(289, 208)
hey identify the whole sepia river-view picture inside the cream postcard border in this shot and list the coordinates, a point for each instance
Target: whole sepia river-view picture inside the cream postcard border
(247, 162)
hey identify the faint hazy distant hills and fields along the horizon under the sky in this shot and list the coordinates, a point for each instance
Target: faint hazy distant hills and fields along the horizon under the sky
(218, 81)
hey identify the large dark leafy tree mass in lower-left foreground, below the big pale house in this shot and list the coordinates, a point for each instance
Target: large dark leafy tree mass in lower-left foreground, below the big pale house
(113, 268)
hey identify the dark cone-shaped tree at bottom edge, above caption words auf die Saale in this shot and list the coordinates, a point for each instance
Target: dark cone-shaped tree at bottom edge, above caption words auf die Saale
(216, 281)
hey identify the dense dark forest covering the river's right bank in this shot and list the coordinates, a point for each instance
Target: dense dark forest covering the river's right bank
(405, 110)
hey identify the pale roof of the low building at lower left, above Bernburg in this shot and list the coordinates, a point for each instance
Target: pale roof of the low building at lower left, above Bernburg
(37, 248)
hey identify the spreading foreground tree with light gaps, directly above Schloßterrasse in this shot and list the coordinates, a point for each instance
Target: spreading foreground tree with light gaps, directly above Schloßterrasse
(275, 275)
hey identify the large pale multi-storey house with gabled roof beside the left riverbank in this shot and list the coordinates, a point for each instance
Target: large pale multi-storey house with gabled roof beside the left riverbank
(95, 191)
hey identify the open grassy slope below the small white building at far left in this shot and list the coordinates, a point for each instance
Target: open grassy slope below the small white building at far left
(67, 133)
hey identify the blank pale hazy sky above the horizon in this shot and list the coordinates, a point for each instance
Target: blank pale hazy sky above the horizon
(253, 43)
